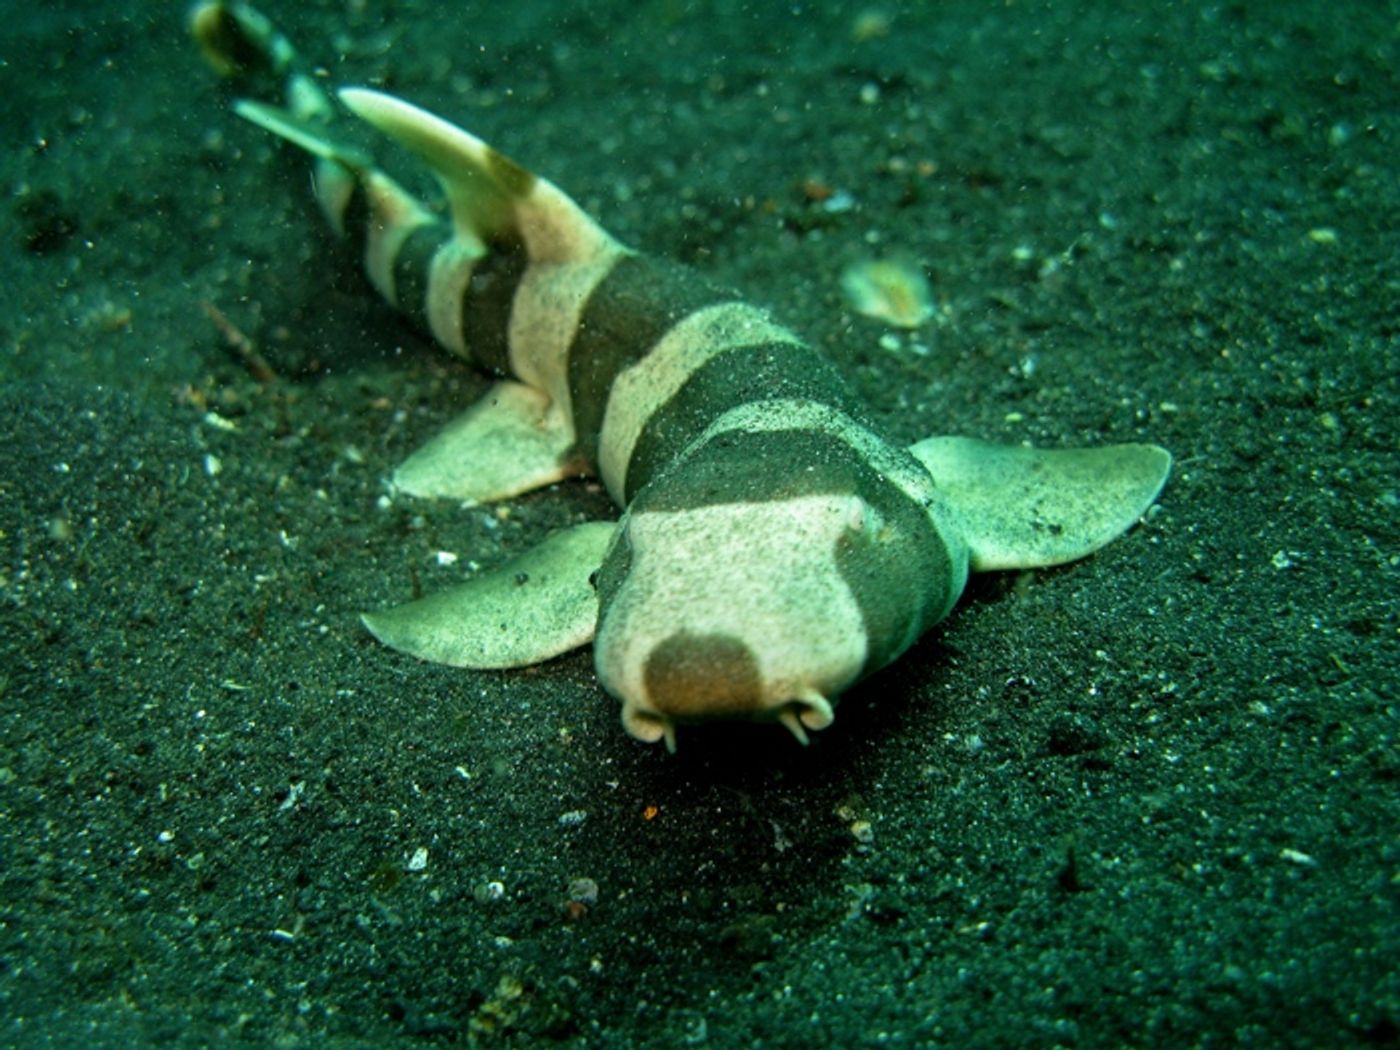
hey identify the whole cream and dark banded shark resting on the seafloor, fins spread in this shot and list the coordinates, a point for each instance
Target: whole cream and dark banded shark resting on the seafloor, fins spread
(773, 547)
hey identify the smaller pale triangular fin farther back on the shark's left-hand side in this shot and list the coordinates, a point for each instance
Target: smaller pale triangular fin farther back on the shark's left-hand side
(509, 443)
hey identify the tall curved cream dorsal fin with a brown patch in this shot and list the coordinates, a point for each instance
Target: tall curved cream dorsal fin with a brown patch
(489, 194)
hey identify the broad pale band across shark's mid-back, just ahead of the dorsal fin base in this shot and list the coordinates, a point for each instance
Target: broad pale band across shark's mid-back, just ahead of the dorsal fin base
(647, 386)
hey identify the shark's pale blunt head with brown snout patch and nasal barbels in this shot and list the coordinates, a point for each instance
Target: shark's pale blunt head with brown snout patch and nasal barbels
(758, 611)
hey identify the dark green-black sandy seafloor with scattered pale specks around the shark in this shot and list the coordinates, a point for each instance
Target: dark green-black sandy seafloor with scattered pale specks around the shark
(1147, 800)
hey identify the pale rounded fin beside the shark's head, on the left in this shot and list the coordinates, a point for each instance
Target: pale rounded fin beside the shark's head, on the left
(530, 610)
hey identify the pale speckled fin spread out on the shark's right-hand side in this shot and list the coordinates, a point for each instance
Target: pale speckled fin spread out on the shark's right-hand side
(1027, 507)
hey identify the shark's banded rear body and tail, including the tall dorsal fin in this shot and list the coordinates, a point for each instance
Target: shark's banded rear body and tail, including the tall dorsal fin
(506, 227)
